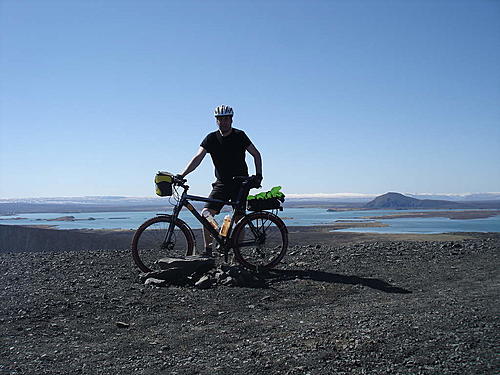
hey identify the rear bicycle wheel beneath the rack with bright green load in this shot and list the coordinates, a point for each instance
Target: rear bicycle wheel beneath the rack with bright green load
(260, 240)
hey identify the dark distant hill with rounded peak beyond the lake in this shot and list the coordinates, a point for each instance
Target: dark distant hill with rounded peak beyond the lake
(400, 201)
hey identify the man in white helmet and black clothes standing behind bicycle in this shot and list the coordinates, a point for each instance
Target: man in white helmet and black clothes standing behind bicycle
(227, 147)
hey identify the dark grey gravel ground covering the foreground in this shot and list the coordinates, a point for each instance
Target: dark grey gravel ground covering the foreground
(379, 306)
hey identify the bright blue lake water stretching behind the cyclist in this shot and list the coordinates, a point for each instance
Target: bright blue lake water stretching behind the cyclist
(291, 216)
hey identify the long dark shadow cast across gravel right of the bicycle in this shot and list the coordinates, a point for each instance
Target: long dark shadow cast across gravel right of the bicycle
(277, 276)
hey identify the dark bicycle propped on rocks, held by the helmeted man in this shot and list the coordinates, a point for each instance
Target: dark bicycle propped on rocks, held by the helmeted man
(259, 239)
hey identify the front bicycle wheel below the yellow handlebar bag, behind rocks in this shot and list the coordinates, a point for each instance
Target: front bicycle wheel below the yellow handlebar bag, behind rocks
(148, 242)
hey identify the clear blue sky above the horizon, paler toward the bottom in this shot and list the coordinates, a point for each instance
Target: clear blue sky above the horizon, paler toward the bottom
(339, 96)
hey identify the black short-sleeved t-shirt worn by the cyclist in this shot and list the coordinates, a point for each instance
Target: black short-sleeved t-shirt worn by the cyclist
(228, 153)
